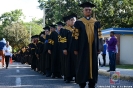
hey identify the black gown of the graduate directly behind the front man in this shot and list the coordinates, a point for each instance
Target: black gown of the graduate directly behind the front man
(70, 59)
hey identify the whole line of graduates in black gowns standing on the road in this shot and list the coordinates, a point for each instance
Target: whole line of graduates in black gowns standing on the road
(70, 51)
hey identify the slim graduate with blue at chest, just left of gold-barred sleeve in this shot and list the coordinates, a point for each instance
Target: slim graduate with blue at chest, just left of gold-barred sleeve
(46, 55)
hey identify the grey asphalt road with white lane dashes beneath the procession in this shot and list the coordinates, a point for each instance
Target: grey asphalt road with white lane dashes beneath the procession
(21, 76)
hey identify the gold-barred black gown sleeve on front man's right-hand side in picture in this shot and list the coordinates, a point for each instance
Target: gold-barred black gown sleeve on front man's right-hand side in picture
(100, 40)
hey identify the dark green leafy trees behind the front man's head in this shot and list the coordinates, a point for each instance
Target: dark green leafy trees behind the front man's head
(111, 13)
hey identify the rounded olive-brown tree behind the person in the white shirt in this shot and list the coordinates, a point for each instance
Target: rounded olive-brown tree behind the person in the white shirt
(16, 34)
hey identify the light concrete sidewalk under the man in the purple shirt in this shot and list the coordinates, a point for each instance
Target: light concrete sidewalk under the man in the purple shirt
(125, 74)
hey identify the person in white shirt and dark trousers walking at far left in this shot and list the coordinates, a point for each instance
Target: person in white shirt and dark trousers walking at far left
(7, 51)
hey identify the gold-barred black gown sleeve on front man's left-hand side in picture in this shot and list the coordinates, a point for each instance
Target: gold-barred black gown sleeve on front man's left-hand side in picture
(75, 35)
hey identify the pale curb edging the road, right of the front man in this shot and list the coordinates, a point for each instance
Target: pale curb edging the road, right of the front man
(122, 77)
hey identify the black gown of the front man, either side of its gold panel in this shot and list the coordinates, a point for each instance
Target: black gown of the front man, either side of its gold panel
(82, 46)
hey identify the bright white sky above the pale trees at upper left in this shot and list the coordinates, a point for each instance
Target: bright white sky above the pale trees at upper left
(29, 8)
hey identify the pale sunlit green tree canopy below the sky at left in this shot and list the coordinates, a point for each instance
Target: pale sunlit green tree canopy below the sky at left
(17, 32)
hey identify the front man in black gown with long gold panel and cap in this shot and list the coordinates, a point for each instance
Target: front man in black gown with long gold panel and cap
(87, 47)
